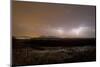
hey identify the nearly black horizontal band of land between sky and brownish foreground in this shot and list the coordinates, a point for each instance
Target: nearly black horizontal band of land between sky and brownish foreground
(36, 42)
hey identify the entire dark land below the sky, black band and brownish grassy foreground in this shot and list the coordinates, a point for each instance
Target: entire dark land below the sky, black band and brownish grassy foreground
(38, 51)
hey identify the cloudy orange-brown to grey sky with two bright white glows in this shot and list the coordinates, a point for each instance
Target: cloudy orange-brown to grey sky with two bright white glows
(36, 19)
